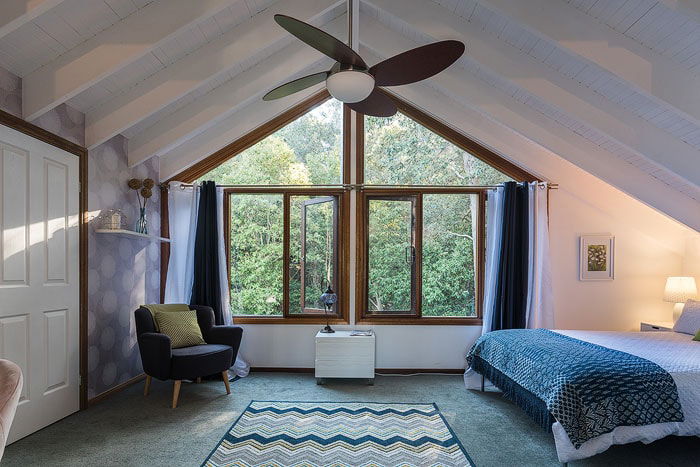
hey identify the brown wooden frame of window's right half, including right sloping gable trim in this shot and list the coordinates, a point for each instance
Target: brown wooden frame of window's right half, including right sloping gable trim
(362, 315)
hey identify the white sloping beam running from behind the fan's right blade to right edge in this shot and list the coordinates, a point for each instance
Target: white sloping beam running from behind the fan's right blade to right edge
(530, 75)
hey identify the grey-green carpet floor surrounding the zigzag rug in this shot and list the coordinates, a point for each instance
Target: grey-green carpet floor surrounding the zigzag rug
(129, 429)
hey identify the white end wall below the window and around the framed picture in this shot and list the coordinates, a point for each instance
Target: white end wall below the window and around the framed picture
(649, 247)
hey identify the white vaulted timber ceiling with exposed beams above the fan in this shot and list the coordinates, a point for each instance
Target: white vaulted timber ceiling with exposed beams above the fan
(613, 86)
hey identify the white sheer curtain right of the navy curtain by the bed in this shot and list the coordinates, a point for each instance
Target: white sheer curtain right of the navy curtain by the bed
(540, 302)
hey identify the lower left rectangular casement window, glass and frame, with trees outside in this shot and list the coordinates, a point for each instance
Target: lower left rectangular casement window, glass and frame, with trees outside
(284, 251)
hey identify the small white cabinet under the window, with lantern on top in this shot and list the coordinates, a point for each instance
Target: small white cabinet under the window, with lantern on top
(340, 355)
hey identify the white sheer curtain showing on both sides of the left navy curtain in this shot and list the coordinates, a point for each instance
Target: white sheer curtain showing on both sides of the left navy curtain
(183, 204)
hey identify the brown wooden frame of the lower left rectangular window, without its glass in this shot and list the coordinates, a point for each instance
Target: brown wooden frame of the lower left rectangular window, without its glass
(342, 253)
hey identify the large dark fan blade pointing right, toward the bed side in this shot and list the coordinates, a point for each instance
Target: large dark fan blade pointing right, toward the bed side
(417, 64)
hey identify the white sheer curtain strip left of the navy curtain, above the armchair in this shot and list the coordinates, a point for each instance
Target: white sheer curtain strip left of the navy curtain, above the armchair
(183, 203)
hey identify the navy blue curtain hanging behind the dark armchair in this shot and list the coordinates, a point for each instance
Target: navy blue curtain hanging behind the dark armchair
(206, 288)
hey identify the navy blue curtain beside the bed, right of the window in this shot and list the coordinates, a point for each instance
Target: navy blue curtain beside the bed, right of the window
(512, 278)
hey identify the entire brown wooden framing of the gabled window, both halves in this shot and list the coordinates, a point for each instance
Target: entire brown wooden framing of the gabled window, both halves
(457, 138)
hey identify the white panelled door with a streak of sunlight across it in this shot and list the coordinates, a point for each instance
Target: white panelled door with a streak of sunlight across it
(39, 277)
